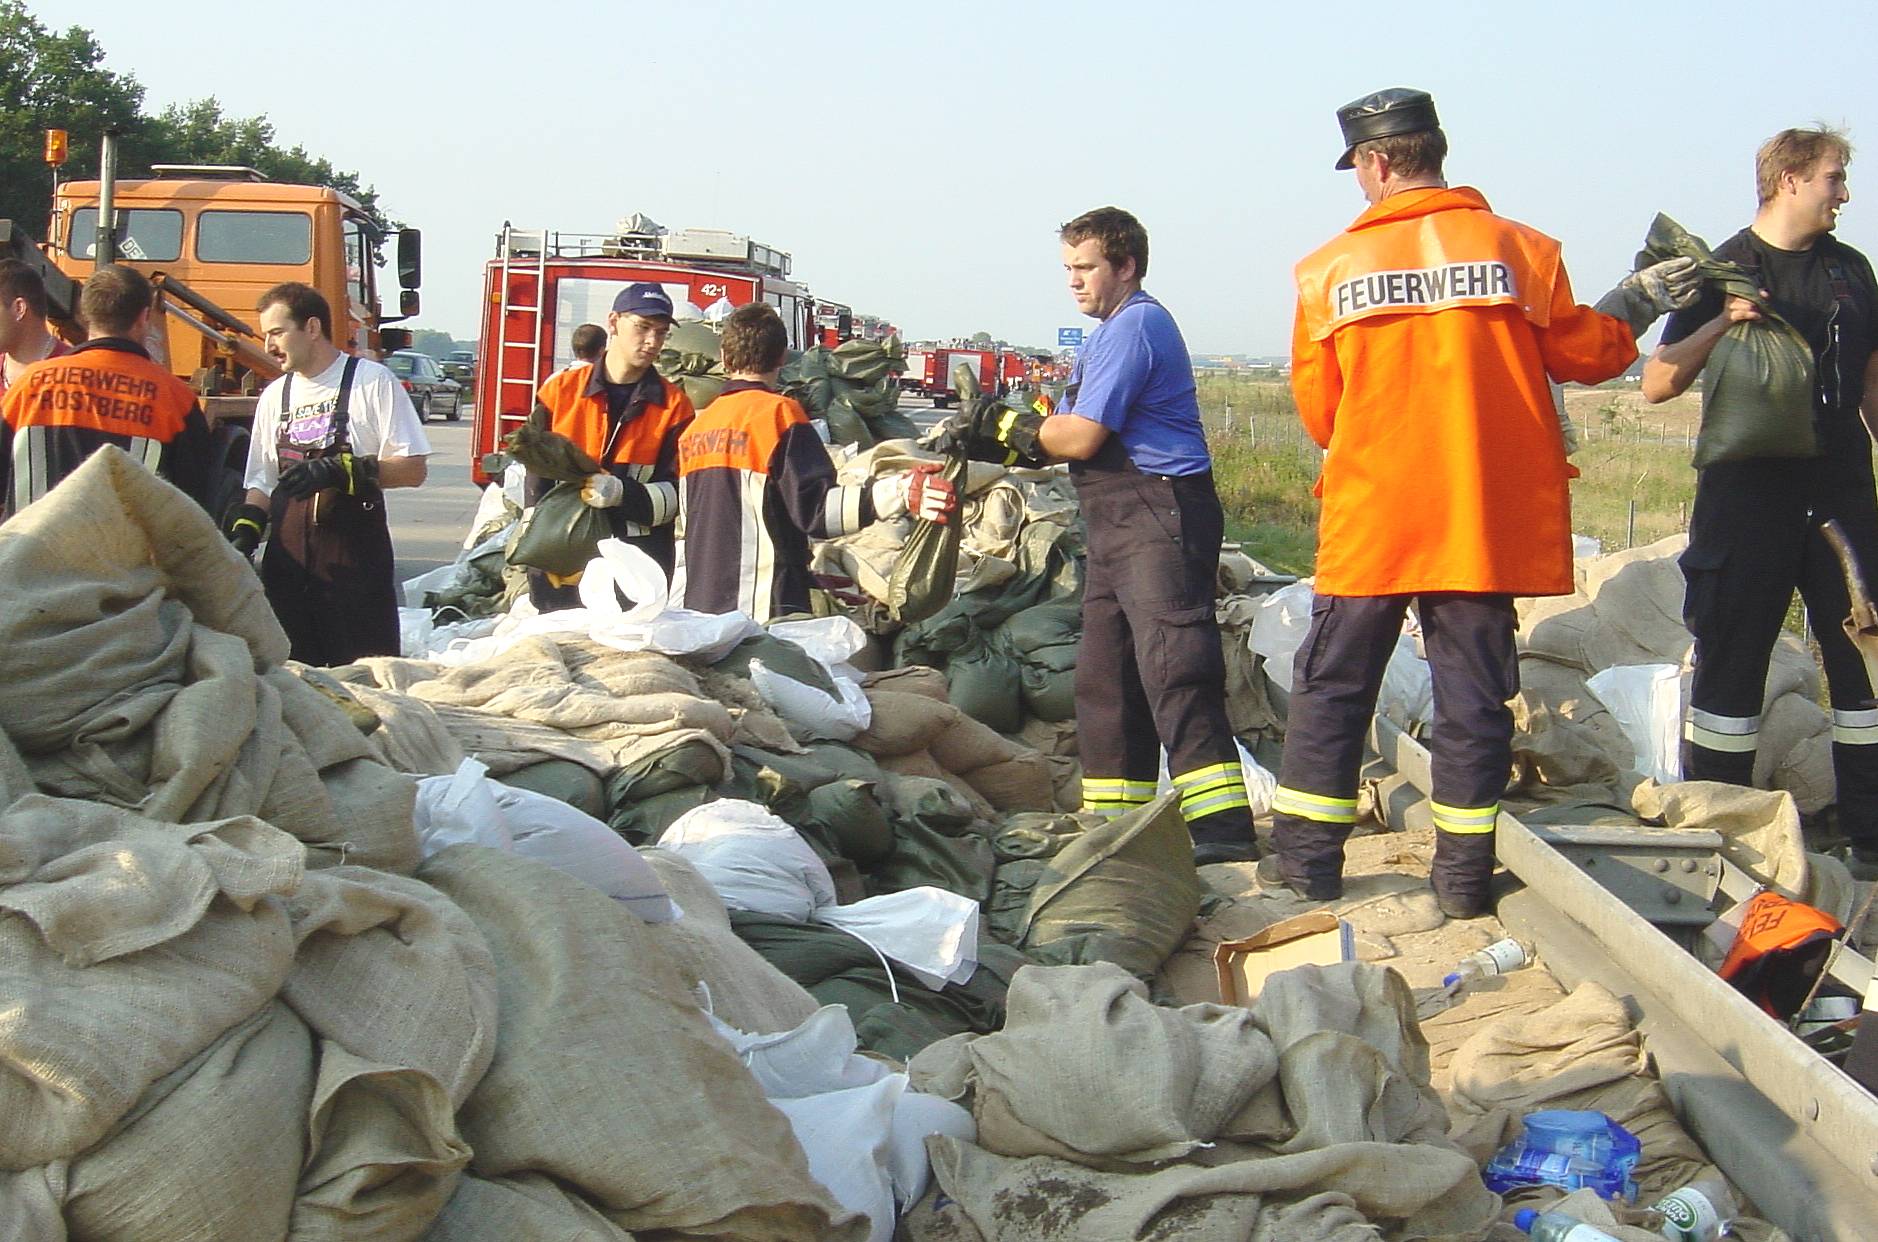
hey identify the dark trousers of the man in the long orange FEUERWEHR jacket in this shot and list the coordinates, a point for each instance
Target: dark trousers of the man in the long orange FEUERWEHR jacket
(1470, 642)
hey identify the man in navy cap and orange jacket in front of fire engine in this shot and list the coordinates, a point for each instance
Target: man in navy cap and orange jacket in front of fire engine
(628, 418)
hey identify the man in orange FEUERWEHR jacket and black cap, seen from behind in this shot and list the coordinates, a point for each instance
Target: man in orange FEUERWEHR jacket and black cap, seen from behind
(1421, 358)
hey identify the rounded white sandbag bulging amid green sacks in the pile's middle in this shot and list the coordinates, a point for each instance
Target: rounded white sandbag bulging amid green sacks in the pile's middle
(752, 858)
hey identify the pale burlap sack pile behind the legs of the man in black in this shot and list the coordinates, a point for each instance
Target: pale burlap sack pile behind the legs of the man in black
(1629, 612)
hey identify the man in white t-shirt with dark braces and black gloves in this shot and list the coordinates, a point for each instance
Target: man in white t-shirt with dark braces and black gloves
(330, 437)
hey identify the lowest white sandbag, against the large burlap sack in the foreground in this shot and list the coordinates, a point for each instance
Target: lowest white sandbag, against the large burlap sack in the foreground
(846, 1138)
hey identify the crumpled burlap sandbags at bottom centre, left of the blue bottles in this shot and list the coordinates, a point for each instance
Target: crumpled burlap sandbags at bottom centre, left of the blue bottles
(1107, 1117)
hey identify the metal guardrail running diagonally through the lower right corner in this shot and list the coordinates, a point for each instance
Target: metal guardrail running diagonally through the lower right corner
(1793, 1130)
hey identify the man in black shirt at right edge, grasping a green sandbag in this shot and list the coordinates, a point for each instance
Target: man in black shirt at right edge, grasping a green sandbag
(1753, 536)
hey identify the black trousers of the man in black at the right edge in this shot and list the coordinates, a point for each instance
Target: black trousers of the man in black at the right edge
(1753, 540)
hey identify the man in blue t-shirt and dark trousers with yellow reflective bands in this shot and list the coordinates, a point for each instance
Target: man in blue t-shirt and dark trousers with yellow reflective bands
(1150, 672)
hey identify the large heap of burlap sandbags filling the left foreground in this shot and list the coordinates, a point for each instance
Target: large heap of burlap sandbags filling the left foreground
(238, 1006)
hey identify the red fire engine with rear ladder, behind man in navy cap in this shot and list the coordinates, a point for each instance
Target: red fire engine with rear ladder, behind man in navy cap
(544, 285)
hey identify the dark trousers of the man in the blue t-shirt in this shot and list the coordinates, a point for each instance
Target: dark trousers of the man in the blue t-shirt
(1150, 672)
